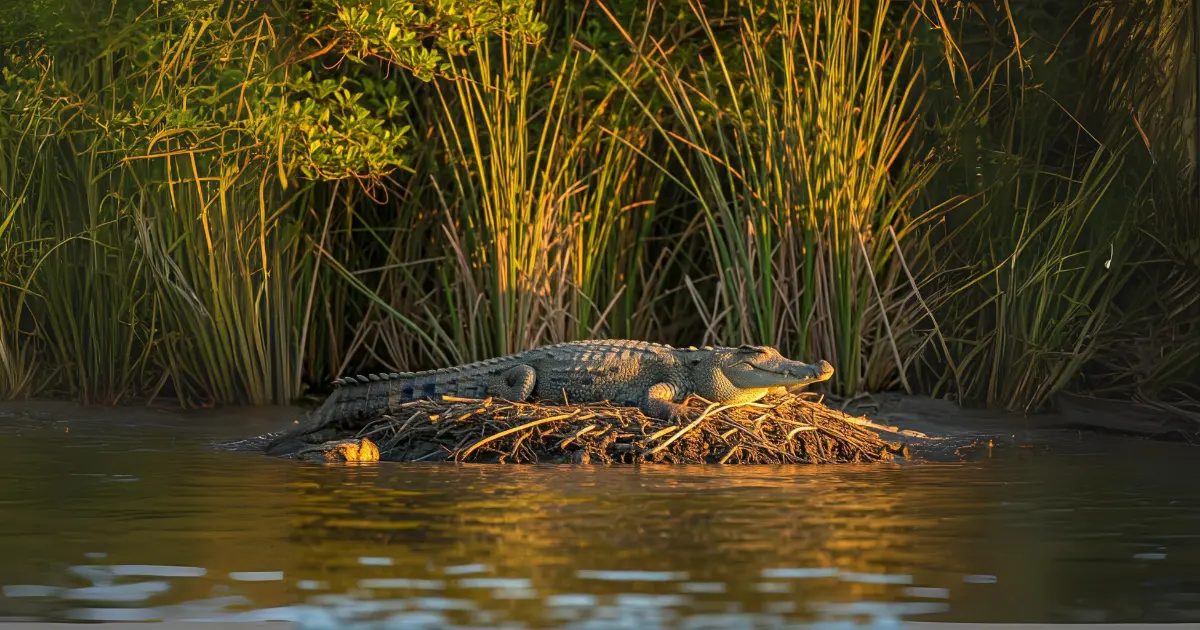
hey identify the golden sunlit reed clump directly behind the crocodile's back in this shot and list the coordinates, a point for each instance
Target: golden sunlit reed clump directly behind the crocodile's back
(545, 203)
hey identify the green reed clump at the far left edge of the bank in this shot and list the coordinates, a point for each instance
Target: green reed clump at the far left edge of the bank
(70, 283)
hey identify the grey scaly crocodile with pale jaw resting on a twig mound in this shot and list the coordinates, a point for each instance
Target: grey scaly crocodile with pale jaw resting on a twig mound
(652, 377)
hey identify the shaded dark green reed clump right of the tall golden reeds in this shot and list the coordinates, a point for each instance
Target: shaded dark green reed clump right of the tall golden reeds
(1040, 243)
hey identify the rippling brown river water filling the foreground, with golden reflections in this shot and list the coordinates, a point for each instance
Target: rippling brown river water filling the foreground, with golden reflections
(134, 517)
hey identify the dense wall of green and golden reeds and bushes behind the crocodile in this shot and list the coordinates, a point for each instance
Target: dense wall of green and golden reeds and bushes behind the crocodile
(224, 201)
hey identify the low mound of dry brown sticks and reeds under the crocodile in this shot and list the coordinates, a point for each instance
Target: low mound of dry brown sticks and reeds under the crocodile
(790, 429)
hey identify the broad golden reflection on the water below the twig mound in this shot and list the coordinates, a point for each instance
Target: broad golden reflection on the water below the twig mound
(548, 525)
